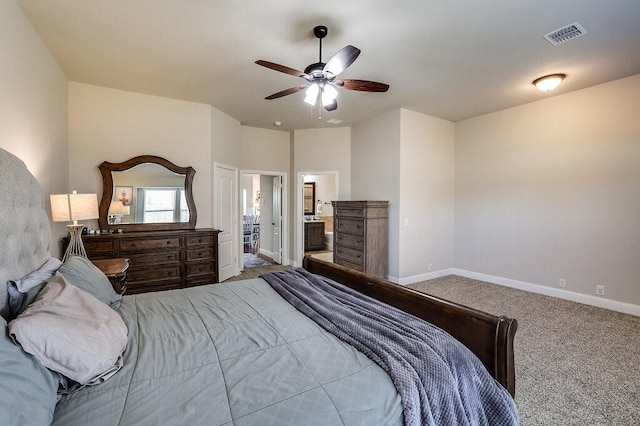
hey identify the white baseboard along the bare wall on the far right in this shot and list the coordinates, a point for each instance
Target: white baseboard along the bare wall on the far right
(600, 302)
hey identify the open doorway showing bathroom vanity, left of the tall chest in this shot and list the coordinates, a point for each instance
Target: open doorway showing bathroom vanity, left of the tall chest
(315, 226)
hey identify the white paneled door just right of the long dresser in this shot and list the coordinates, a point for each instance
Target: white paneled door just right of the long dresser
(225, 203)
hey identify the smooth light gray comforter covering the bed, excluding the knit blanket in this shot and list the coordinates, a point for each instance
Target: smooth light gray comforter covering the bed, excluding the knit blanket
(232, 354)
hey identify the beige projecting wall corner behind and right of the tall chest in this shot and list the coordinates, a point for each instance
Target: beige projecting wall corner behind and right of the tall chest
(407, 158)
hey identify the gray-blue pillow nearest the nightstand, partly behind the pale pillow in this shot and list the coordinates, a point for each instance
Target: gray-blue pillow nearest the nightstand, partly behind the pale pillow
(80, 272)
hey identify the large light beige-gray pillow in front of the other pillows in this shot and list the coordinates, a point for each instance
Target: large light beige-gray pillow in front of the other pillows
(71, 332)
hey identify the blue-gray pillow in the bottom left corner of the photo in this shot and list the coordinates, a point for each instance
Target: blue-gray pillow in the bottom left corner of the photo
(28, 390)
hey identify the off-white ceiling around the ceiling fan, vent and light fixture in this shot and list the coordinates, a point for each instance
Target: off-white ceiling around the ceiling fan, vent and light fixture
(449, 59)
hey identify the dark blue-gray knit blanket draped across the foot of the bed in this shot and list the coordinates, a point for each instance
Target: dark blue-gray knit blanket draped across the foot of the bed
(440, 381)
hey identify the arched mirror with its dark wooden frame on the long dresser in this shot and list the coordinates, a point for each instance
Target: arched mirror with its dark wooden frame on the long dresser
(146, 193)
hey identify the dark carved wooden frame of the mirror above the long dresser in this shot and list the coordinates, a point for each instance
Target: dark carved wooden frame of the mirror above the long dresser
(106, 168)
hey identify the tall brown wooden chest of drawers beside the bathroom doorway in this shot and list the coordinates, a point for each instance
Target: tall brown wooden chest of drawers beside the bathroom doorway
(360, 238)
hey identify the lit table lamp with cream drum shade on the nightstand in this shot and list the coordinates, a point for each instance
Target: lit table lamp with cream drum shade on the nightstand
(74, 207)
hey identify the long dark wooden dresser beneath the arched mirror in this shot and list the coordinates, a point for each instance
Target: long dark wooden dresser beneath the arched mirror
(160, 260)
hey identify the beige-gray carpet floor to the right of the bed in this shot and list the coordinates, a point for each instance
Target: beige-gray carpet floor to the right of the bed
(575, 364)
